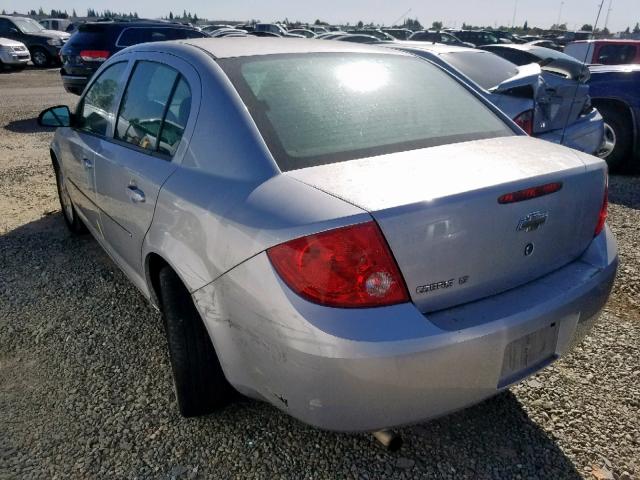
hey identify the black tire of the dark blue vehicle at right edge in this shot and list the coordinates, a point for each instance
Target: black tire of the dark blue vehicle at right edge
(620, 158)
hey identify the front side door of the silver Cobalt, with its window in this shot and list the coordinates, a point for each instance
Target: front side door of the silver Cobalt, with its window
(84, 142)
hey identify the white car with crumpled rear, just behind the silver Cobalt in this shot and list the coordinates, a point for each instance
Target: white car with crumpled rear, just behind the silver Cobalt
(543, 104)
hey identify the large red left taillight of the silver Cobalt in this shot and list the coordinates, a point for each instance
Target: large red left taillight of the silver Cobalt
(346, 267)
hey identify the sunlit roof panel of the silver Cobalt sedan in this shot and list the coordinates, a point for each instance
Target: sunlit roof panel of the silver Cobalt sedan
(253, 46)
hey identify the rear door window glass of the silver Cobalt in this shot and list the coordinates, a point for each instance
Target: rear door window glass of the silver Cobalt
(155, 108)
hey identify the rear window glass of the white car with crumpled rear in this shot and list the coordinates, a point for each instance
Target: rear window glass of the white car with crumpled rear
(484, 68)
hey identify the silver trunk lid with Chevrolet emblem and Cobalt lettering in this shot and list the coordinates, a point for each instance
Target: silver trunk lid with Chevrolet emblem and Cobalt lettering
(438, 209)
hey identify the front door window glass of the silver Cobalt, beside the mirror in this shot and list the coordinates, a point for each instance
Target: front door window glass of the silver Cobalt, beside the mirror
(97, 108)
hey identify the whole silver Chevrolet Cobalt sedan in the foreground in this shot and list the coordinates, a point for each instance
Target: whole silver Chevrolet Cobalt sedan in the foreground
(347, 232)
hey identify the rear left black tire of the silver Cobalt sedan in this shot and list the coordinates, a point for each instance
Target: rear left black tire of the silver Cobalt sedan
(200, 384)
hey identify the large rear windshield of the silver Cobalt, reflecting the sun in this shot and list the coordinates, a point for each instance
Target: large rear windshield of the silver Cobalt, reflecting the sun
(323, 108)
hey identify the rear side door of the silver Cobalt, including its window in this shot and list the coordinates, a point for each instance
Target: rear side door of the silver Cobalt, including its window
(155, 119)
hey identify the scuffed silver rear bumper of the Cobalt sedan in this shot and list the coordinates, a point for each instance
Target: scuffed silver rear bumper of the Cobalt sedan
(366, 369)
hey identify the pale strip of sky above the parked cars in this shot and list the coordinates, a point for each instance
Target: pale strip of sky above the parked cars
(453, 13)
